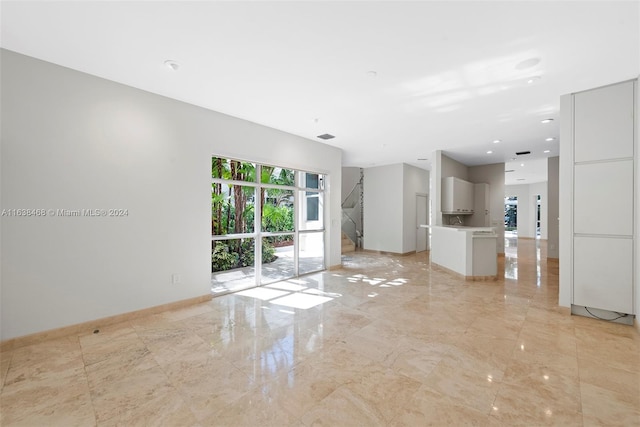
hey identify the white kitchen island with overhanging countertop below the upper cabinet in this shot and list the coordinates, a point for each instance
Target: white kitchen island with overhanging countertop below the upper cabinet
(468, 251)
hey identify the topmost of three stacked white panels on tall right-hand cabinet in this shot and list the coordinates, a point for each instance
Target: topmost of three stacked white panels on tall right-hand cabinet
(603, 120)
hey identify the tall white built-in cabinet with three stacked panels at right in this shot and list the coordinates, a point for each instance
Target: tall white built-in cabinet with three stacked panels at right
(598, 136)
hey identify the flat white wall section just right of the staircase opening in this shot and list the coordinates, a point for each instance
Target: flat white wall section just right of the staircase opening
(382, 210)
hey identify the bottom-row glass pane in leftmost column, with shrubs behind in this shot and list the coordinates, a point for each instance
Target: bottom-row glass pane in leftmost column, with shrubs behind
(232, 265)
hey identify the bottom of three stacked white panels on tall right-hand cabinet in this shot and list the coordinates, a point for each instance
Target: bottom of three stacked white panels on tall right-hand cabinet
(603, 271)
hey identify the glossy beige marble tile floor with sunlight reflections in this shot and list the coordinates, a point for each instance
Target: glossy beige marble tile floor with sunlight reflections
(383, 341)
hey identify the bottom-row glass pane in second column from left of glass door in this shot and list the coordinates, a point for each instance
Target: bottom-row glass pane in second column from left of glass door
(277, 256)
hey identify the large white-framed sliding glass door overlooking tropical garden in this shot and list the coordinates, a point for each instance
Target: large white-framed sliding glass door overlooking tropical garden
(267, 224)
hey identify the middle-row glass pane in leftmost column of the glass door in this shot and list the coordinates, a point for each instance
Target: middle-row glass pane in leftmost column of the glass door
(232, 208)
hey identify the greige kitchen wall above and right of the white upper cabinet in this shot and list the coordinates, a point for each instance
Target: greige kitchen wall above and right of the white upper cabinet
(493, 175)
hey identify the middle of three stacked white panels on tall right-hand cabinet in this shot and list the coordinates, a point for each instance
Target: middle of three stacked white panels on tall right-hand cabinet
(603, 198)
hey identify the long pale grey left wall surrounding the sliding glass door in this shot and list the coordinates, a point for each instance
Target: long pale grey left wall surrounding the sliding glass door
(75, 141)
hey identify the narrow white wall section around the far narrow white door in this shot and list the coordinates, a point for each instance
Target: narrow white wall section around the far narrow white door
(416, 181)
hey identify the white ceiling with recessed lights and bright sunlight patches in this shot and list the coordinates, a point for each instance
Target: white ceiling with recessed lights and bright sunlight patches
(449, 75)
